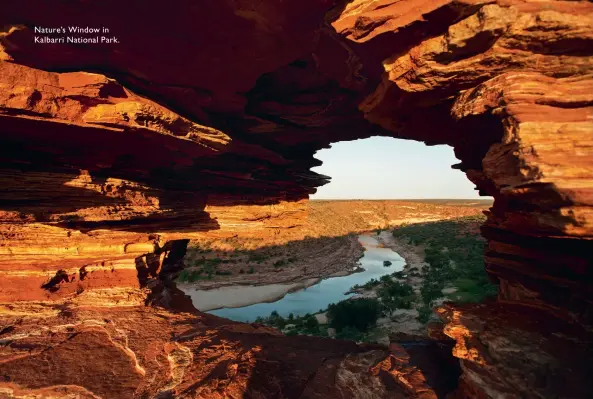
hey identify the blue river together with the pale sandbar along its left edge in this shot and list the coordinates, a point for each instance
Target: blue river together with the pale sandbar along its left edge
(299, 298)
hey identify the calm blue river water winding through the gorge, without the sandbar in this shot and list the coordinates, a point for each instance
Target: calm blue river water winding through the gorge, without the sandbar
(318, 296)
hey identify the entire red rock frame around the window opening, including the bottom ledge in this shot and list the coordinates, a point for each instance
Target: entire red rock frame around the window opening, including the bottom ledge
(204, 120)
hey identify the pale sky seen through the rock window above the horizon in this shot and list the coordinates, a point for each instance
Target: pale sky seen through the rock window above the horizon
(388, 168)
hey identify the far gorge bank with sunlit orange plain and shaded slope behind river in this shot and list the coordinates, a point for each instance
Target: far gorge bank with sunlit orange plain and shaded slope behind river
(322, 245)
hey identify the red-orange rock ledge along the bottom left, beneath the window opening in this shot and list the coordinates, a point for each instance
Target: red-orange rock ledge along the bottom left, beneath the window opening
(124, 352)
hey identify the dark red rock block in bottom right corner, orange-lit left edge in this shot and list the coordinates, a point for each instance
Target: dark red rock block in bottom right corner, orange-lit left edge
(509, 350)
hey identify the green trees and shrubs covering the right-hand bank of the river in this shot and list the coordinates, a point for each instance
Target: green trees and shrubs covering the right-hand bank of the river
(454, 271)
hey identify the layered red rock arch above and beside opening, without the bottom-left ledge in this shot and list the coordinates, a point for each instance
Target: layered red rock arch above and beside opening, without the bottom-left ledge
(109, 153)
